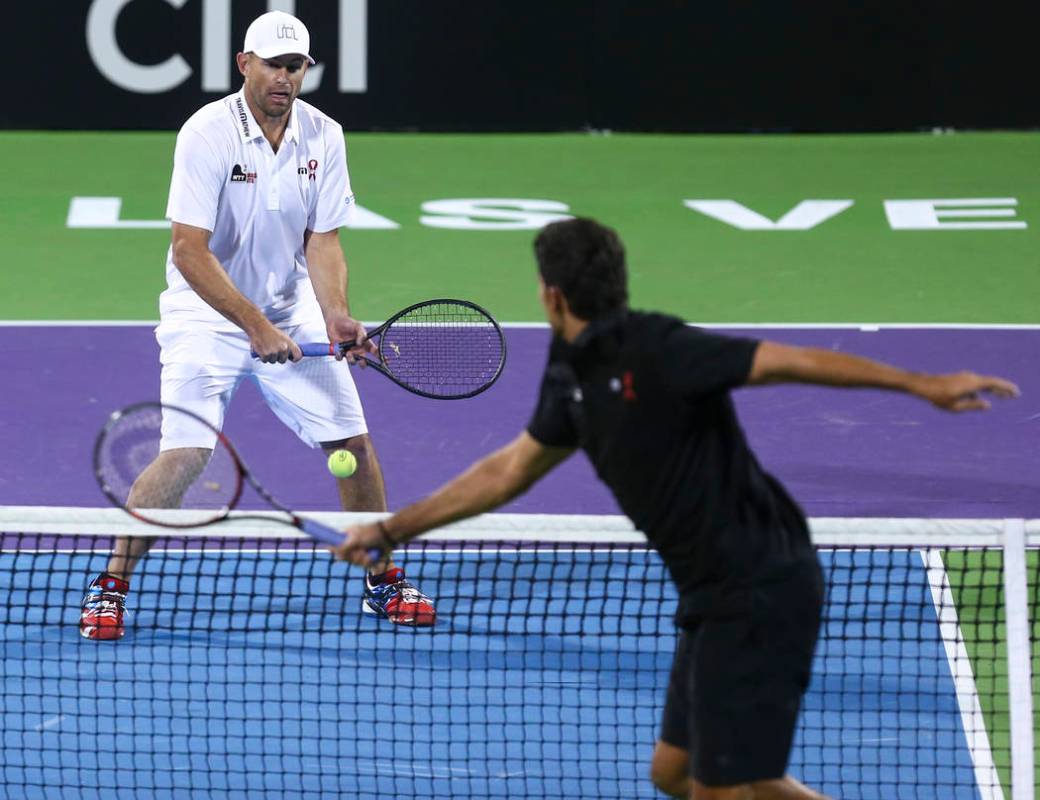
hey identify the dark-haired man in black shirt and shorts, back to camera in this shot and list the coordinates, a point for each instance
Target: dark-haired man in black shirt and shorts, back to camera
(647, 398)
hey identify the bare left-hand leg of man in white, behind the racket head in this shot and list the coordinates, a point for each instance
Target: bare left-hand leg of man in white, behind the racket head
(162, 486)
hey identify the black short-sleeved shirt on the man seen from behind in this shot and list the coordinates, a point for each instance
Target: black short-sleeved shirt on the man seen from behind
(647, 398)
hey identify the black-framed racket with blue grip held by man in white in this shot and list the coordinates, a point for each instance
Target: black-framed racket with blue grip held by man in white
(439, 349)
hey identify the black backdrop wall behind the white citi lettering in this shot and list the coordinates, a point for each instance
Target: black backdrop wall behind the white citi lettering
(568, 65)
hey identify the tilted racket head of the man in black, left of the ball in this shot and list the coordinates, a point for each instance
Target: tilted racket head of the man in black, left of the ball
(198, 485)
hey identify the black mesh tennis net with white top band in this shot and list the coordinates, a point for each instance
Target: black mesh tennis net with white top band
(249, 670)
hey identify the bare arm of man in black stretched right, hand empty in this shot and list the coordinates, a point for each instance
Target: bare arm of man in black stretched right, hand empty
(958, 392)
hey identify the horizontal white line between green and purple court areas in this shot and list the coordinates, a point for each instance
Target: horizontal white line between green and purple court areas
(867, 327)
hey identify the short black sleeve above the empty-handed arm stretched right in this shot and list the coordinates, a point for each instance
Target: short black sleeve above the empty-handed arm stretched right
(700, 364)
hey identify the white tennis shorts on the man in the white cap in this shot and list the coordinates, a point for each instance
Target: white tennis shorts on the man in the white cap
(202, 369)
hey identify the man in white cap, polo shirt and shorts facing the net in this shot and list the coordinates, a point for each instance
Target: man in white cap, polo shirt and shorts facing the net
(259, 191)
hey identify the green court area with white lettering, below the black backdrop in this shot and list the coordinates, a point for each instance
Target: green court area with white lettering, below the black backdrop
(851, 268)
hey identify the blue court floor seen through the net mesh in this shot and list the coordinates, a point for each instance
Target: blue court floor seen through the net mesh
(252, 674)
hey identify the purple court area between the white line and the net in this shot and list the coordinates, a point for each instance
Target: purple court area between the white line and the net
(853, 454)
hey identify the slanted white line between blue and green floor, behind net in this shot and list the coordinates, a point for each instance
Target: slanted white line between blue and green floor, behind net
(987, 780)
